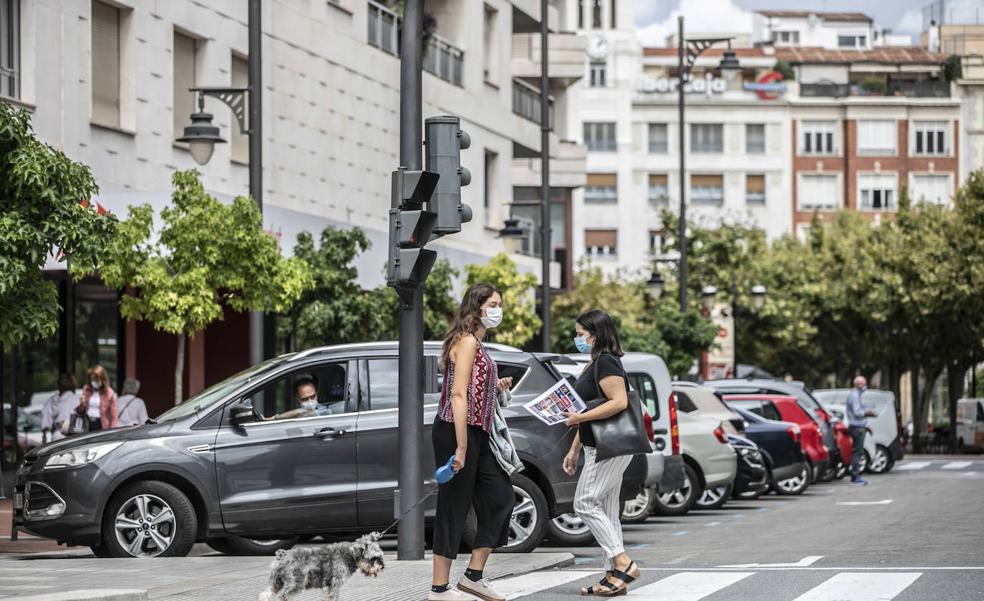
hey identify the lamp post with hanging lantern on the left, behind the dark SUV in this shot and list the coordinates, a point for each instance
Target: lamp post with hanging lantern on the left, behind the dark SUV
(247, 106)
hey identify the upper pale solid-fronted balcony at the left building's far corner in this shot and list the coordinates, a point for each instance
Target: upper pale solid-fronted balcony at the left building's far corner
(565, 52)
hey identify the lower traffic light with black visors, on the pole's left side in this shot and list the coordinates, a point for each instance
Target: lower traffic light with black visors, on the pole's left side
(410, 228)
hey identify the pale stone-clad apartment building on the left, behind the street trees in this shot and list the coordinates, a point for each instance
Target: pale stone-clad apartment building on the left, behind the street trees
(108, 83)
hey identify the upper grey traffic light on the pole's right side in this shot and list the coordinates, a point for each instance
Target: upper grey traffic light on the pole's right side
(444, 141)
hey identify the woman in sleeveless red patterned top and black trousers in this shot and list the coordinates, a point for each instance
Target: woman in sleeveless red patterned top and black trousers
(463, 429)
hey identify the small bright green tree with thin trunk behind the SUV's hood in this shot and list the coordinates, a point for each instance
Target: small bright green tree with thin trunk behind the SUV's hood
(206, 256)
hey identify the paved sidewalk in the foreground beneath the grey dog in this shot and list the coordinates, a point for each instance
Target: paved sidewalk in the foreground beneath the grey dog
(216, 578)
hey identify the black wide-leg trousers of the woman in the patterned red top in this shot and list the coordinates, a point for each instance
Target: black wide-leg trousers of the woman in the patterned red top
(481, 484)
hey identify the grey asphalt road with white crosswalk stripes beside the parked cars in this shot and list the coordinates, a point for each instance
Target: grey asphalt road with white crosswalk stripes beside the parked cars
(912, 534)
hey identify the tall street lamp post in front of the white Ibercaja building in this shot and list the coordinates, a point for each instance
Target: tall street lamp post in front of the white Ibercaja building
(687, 53)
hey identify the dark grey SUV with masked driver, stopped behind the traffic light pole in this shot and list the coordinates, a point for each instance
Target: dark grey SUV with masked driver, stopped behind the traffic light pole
(217, 469)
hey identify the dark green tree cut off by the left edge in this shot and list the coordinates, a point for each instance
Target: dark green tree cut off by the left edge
(43, 210)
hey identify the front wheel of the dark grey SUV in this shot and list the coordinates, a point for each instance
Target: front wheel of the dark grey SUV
(149, 519)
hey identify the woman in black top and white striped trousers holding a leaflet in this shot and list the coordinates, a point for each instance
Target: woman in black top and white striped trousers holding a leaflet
(596, 499)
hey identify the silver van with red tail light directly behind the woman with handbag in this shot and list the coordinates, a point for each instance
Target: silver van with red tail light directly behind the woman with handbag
(649, 376)
